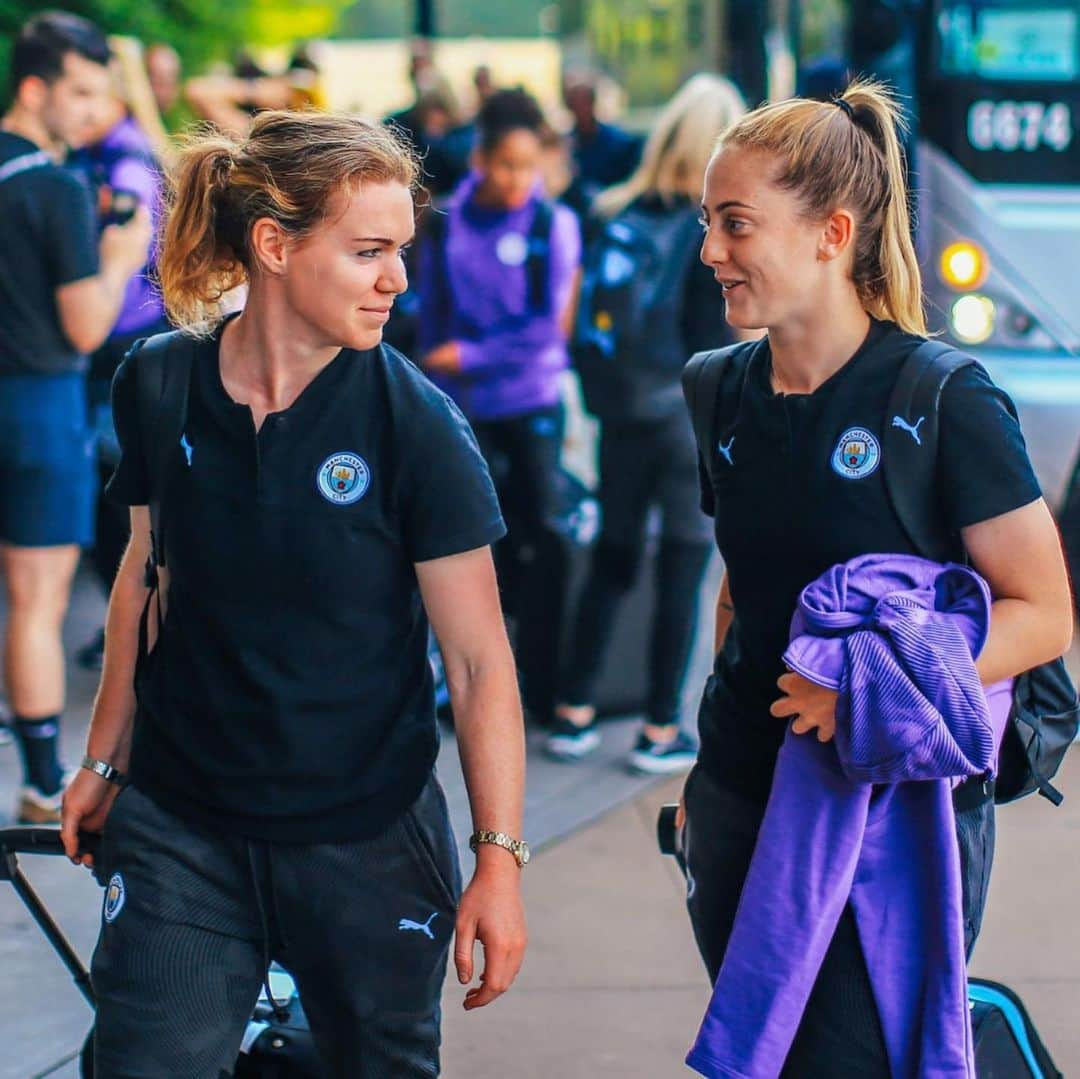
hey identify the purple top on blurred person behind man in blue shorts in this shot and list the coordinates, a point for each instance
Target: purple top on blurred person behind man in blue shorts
(125, 161)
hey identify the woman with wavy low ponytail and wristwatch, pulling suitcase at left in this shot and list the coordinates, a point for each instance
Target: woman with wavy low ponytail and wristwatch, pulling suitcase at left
(264, 764)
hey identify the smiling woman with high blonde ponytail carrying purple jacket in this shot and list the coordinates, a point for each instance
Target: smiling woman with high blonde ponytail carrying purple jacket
(807, 233)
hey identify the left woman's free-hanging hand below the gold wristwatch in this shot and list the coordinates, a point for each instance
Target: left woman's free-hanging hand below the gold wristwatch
(493, 913)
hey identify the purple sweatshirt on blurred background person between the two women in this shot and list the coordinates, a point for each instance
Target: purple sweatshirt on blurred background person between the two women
(477, 294)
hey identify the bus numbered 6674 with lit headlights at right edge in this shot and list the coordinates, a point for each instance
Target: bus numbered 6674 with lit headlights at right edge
(997, 159)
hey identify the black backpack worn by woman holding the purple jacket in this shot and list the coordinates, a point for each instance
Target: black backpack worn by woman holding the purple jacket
(1046, 712)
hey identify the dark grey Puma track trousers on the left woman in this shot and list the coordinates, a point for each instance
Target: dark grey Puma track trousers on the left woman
(191, 918)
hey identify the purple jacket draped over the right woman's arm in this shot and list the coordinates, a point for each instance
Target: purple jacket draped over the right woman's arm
(868, 819)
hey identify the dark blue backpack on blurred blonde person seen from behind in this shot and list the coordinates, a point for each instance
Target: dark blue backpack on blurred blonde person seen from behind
(628, 339)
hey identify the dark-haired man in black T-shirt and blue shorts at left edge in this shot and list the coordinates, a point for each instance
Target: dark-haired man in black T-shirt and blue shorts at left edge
(61, 290)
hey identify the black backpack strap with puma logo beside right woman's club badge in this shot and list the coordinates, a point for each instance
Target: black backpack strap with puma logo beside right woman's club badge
(910, 448)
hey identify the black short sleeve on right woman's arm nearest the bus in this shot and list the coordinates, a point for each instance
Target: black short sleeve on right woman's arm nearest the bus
(985, 470)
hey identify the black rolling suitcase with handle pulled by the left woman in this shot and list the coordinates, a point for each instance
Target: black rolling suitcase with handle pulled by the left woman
(277, 1045)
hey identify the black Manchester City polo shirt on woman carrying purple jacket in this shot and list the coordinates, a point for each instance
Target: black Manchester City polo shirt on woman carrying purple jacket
(804, 491)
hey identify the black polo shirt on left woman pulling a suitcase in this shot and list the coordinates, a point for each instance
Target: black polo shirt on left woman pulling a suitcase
(290, 697)
